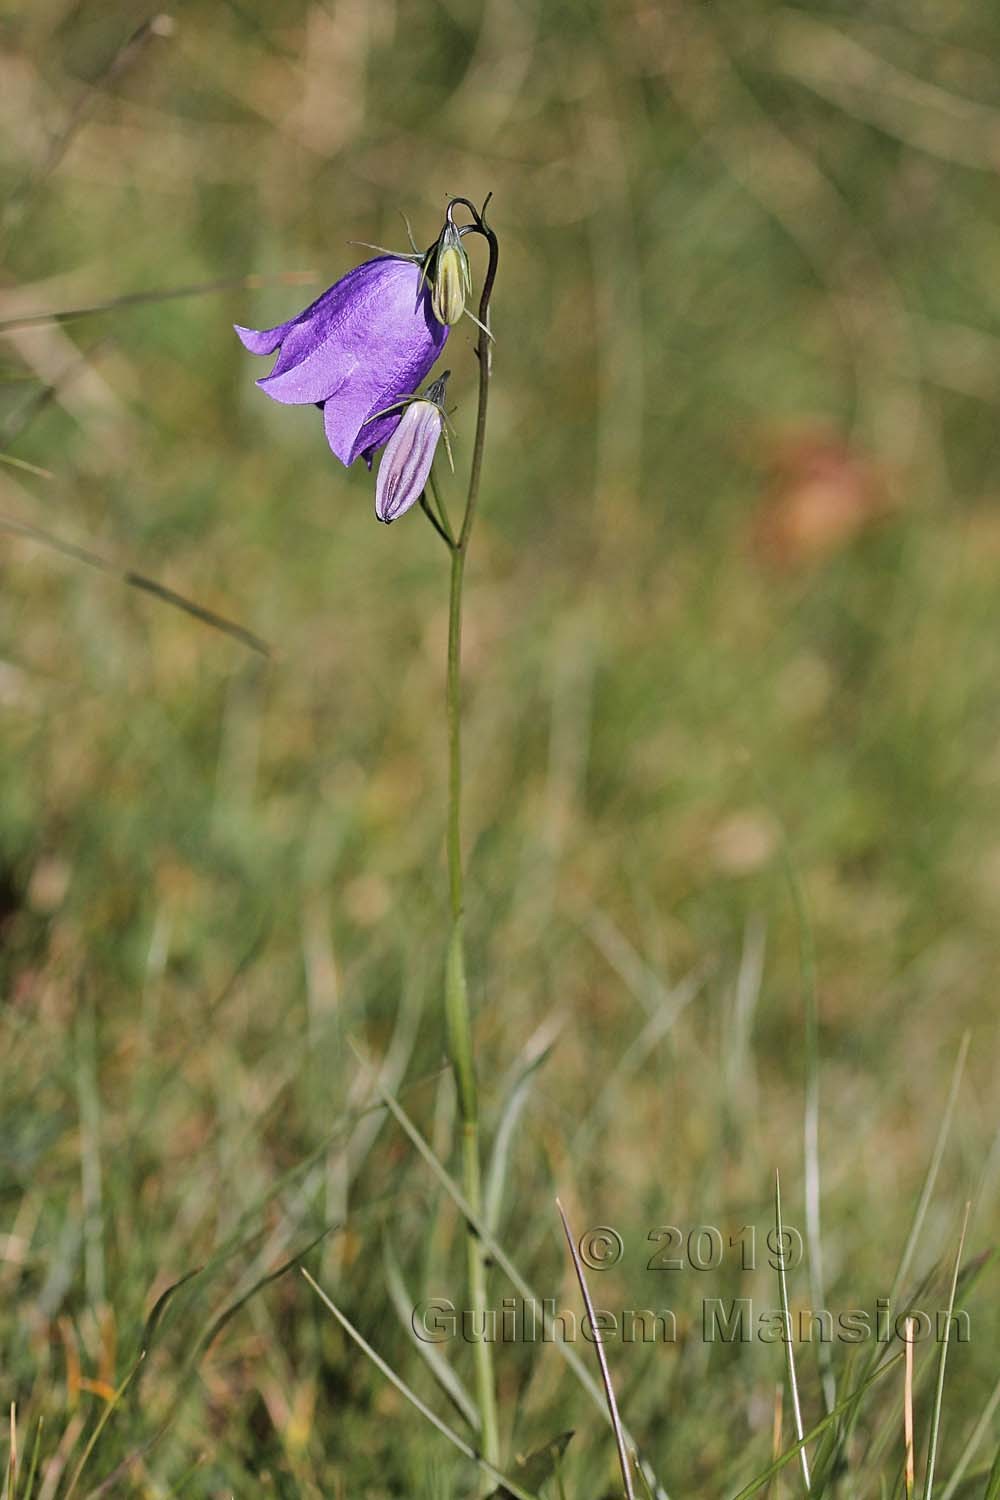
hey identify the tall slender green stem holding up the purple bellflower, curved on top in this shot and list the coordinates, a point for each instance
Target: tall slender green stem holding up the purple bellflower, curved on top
(457, 989)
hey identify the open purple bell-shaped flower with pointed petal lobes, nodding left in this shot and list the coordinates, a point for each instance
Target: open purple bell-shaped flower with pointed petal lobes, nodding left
(356, 352)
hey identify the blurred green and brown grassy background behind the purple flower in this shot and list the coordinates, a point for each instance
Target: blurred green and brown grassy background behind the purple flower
(734, 590)
